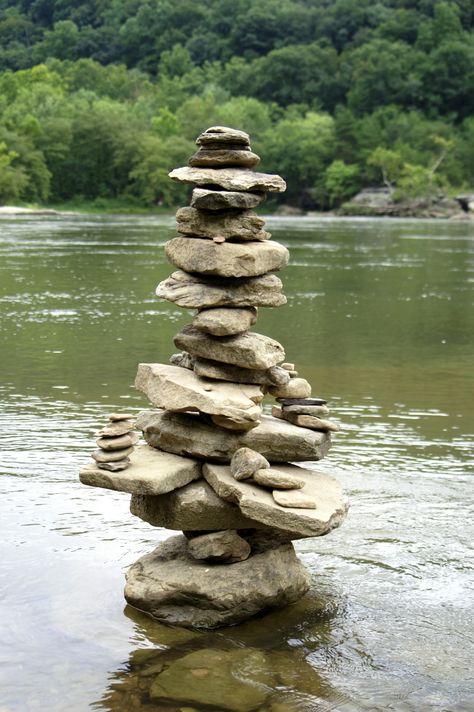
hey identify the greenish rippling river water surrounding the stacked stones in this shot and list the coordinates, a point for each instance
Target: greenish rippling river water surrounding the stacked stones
(380, 319)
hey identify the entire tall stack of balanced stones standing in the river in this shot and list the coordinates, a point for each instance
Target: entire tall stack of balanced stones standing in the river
(214, 466)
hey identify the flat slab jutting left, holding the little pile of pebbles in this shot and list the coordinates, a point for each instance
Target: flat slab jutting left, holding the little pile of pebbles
(151, 472)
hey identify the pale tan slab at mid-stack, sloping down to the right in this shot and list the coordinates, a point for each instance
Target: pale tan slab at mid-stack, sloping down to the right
(177, 389)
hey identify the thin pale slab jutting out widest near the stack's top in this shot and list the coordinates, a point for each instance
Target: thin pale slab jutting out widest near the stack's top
(230, 179)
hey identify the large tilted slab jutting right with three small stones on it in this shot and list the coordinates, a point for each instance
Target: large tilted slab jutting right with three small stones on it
(260, 505)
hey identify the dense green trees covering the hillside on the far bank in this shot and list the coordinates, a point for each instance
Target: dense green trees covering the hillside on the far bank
(99, 99)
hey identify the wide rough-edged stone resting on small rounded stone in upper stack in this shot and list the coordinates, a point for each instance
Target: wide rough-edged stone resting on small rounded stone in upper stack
(190, 291)
